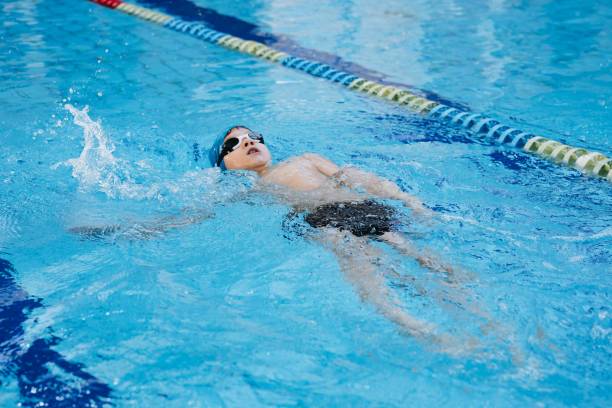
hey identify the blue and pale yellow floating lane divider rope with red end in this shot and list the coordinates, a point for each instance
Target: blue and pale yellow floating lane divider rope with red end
(588, 162)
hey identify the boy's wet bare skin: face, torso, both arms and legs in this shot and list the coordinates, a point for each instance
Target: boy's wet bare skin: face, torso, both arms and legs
(305, 182)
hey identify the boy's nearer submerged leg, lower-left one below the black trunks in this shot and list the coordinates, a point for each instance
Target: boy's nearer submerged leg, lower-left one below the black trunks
(358, 260)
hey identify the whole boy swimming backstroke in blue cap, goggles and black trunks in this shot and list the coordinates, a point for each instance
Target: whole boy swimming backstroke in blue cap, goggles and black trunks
(339, 203)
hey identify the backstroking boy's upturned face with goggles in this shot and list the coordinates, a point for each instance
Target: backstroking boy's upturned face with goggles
(249, 155)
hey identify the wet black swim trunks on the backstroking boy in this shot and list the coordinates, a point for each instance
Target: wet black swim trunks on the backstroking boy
(361, 218)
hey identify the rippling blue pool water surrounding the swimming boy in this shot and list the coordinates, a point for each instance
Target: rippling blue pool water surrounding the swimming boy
(238, 311)
